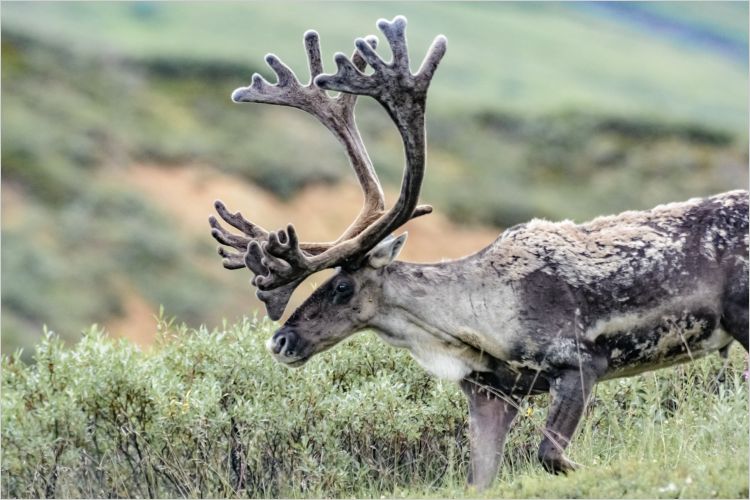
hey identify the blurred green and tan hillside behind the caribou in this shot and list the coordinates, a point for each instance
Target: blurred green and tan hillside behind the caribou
(118, 133)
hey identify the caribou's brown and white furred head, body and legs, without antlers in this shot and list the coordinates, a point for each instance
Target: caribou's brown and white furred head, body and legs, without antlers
(547, 307)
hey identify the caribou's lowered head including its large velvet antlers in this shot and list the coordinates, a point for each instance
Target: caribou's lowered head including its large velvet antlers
(278, 260)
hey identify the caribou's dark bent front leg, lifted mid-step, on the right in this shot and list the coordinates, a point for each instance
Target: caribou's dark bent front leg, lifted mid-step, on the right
(570, 391)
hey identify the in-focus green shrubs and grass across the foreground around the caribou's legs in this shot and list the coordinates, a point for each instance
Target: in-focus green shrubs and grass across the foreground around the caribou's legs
(208, 413)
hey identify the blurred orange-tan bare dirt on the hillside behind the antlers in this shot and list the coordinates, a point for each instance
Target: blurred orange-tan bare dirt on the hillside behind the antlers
(319, 212)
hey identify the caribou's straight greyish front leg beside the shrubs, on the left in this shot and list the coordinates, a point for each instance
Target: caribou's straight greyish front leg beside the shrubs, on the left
(489, 420)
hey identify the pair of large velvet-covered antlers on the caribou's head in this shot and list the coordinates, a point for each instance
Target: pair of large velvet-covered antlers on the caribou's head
(278, 260)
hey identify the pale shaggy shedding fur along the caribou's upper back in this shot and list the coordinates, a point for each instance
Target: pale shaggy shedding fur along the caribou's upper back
(612, 247)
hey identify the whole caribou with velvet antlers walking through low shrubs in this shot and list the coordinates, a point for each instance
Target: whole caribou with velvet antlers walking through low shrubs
(547, 307)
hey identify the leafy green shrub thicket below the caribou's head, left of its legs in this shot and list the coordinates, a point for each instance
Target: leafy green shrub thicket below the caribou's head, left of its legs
(211, 414)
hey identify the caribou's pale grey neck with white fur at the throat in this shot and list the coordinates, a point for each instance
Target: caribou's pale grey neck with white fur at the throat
(441, 312)
